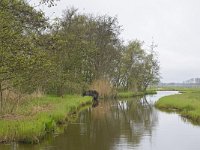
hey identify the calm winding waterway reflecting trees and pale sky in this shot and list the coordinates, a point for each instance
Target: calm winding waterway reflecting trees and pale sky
(121, 125)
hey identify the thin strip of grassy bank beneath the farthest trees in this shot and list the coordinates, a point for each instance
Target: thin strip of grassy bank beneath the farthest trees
(129, 94)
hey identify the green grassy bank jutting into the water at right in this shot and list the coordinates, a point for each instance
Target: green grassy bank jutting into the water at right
(187, 104)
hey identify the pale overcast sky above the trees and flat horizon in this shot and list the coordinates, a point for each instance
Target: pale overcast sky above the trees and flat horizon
(174, 25)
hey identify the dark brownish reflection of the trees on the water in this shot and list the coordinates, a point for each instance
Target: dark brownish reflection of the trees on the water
(109, 125)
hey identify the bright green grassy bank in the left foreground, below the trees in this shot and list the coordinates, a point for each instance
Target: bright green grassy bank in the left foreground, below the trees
(37, 117)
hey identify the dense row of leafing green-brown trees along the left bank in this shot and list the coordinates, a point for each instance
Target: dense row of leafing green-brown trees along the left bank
(68, 55)
